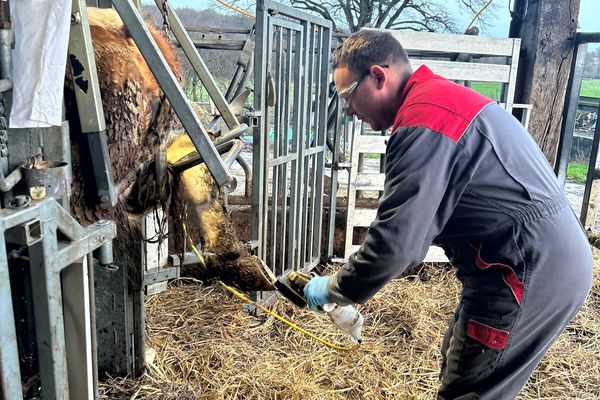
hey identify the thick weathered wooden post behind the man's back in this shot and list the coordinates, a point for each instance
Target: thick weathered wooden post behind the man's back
(547, 30)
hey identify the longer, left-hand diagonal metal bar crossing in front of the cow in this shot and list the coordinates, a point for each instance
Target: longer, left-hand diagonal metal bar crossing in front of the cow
(169, 85)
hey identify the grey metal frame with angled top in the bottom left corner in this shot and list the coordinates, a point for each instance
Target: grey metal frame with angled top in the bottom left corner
(37, 226)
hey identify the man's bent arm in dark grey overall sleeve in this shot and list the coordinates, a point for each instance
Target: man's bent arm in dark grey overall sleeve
(426, 173)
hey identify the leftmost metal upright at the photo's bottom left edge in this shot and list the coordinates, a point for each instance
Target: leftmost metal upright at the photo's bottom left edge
(10, 373)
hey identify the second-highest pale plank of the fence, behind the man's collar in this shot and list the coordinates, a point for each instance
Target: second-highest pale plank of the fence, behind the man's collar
(467, 71)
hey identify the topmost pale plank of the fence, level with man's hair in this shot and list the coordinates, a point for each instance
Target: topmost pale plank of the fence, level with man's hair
(449, 43)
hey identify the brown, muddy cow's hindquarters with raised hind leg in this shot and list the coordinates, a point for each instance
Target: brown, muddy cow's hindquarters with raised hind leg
(139, 120)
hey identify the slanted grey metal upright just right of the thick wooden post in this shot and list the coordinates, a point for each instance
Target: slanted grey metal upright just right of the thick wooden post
(570, 112)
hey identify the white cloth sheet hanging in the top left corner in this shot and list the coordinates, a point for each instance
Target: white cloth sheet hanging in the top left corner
(41, 30)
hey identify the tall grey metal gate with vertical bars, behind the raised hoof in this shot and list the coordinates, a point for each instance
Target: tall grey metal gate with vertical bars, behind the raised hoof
(290, 99)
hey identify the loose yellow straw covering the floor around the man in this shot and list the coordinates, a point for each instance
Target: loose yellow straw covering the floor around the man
(206, 347)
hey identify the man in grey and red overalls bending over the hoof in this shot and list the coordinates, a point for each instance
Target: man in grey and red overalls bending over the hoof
(463, 174)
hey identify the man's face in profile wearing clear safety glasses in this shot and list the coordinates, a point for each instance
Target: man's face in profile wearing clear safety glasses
(363, 94)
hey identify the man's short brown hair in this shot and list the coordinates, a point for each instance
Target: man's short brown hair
(367, 47)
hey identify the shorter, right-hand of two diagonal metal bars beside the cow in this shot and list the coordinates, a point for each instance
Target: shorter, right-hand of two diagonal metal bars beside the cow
(199, 66)
